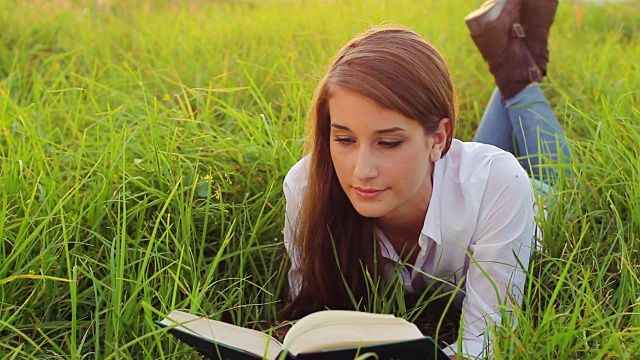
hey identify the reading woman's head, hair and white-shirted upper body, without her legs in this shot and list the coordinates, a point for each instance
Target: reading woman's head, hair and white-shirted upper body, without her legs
(386, 187)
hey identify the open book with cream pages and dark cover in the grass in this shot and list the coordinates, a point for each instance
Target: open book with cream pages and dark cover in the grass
(330, 334)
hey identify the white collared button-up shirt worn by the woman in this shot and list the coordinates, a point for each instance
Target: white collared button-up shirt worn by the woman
(477, 236)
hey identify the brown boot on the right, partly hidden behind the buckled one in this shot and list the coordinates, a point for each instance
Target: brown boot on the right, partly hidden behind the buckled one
(537, 17)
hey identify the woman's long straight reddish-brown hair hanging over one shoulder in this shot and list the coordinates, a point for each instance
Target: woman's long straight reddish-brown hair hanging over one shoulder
(400, 71)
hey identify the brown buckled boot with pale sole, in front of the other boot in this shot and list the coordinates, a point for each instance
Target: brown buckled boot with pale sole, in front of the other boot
(495, 29)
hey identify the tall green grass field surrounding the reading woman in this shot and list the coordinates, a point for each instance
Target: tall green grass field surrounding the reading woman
(143, 148)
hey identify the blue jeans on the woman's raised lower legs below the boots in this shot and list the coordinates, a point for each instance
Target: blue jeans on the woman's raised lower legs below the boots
(525, 126)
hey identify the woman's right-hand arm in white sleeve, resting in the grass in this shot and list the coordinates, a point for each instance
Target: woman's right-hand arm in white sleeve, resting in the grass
(499, 253)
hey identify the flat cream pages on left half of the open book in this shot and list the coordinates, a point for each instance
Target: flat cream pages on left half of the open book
(238, 337)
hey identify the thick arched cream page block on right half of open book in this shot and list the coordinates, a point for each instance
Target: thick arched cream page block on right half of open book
(334, 329)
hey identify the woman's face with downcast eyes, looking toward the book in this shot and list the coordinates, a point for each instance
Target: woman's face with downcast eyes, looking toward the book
(383, 159)
